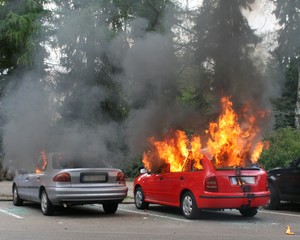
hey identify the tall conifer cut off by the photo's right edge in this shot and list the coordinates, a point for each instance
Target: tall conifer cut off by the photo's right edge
(288, 50)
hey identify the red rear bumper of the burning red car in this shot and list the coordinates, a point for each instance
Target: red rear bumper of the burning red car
(217, 201)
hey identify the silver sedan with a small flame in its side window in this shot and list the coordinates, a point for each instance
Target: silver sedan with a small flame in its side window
(66, 179)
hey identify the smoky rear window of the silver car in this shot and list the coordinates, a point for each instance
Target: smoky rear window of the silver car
(76, 160)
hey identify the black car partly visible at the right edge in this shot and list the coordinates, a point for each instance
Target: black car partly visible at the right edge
(284, 184)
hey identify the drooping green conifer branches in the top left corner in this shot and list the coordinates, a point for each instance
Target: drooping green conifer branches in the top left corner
(19, 25)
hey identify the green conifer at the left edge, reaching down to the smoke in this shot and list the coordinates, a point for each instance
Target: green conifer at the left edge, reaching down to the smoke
(22, 48)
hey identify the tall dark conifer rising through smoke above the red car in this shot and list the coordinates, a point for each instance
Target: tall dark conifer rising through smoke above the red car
(224, 45)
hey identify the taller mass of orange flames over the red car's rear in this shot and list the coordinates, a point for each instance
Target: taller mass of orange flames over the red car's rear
(232, 141)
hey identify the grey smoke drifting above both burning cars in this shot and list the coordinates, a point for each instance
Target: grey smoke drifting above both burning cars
(149, 80)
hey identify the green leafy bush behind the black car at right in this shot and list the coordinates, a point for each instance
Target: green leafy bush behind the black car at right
(284, 147)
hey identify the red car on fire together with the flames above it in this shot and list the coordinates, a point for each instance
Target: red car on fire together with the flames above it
(224, 174)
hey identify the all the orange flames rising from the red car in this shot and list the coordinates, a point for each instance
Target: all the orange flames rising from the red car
(233, 140)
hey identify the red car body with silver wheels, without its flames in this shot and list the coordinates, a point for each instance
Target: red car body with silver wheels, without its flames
(243, 188)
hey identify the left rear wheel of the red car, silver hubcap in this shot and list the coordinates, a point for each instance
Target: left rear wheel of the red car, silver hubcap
(188, 206)
